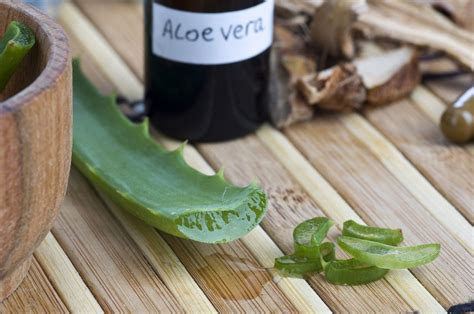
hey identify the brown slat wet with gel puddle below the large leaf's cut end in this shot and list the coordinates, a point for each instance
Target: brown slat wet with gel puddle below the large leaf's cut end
(231, 277)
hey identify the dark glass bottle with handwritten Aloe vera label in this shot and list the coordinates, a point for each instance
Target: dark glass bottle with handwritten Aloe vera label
(208, 79)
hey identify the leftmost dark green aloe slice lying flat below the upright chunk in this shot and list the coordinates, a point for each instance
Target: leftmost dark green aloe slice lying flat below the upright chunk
(299, 266)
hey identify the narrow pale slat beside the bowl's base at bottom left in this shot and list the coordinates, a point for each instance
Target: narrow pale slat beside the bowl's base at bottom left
(64, 277)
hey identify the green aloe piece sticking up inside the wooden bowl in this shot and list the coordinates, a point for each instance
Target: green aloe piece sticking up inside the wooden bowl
(14, 45)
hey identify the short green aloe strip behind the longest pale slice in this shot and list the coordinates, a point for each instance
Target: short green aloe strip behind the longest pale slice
(382, 235)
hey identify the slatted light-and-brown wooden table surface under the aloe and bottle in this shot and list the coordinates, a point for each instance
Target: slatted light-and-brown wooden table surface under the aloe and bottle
(387, 167)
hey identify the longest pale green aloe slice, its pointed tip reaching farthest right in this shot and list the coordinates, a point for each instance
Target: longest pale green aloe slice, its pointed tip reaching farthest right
(387, 256)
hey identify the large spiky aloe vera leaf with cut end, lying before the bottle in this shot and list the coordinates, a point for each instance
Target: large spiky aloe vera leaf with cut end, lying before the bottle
(154, 184)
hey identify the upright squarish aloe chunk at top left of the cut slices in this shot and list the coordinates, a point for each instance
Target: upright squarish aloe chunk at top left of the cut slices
(308, 235)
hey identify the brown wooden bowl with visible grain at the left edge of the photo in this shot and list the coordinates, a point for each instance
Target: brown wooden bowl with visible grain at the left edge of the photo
(35, 143)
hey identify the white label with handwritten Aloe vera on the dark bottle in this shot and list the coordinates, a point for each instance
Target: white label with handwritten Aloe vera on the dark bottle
(212, 38)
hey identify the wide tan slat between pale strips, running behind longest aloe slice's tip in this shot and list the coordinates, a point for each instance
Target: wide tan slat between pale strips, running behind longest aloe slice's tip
(381, 199)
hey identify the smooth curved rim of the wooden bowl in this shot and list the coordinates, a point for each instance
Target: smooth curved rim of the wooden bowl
(58, 57)
